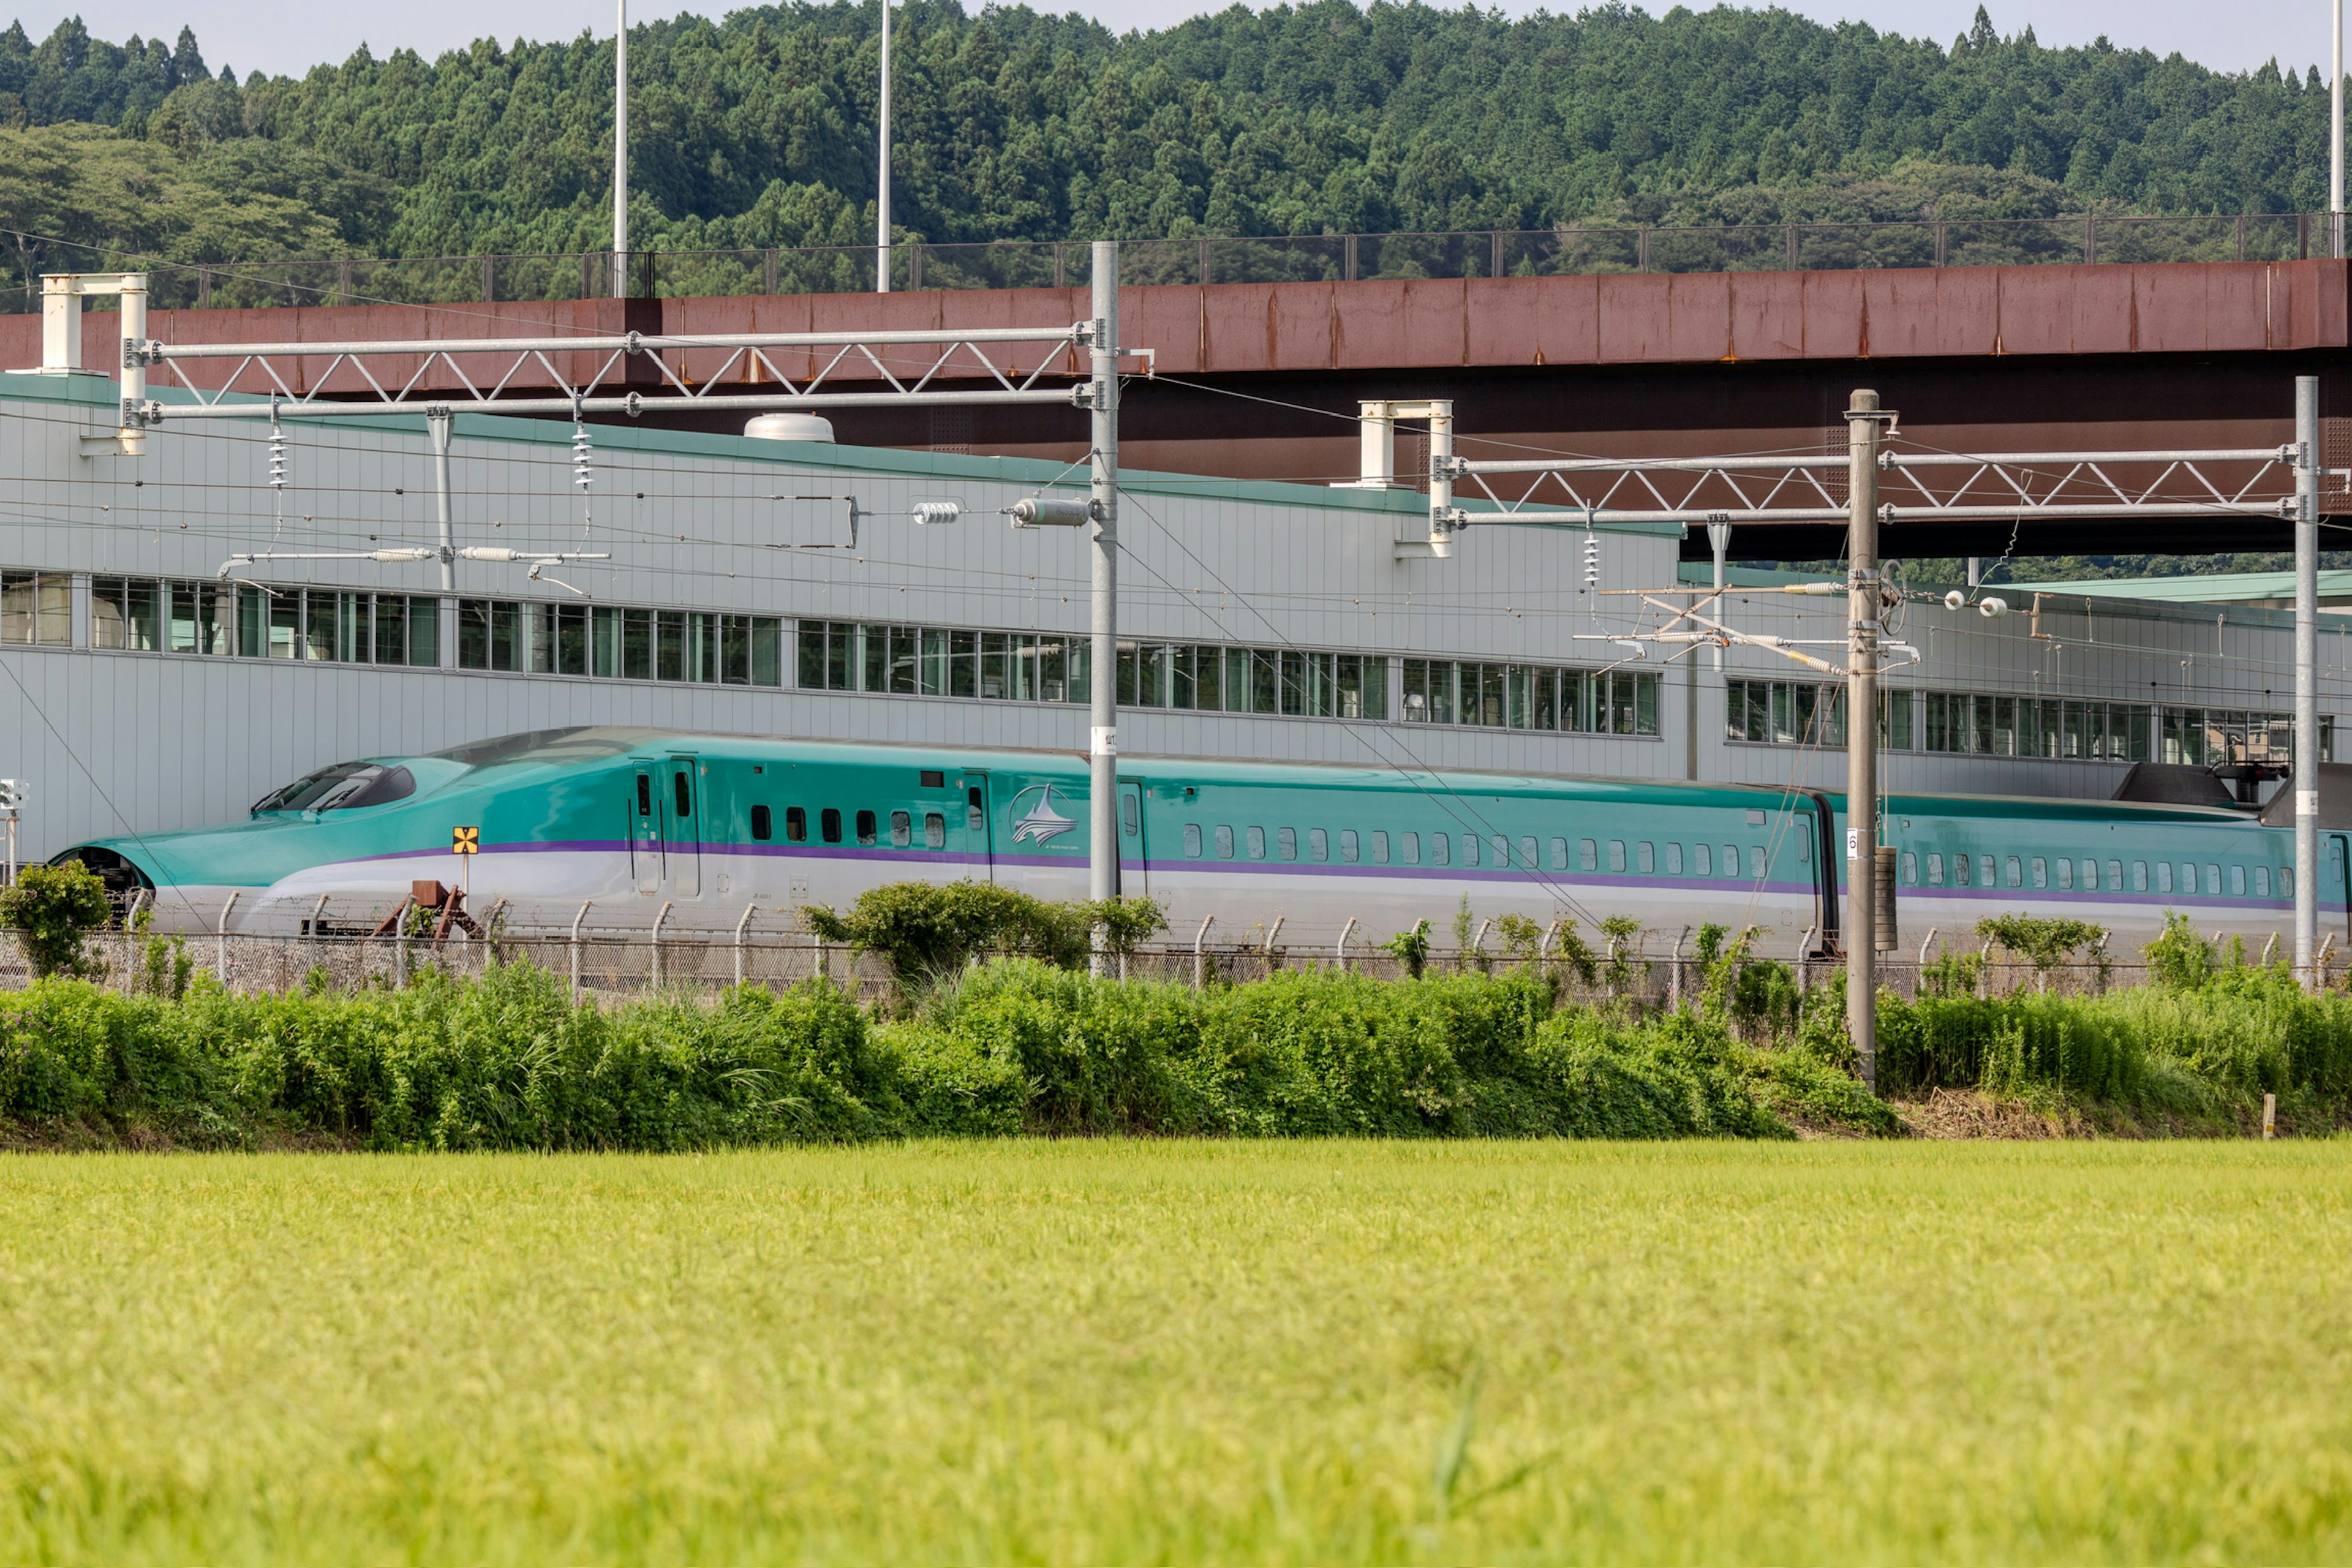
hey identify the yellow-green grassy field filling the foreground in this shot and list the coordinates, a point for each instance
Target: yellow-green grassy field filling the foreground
(1184, 1353)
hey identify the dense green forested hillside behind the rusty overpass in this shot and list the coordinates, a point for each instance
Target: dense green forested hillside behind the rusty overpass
(1302, 119)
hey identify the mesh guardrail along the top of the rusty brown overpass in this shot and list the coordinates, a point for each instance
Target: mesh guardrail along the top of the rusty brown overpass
(1570, 250)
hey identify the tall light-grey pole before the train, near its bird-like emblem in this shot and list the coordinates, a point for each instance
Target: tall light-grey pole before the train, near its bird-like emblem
(1104, 666)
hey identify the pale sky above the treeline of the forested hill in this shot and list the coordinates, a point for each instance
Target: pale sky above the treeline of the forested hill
(290, 39)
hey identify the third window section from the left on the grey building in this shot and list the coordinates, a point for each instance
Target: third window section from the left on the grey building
(620, 643)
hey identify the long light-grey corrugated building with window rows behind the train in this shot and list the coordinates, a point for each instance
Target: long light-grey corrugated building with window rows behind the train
(787, 589)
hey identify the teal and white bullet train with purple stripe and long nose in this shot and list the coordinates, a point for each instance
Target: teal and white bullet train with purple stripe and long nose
(711, 824)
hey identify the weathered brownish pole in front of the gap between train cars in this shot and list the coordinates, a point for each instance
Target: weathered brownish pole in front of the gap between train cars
(1864, 424)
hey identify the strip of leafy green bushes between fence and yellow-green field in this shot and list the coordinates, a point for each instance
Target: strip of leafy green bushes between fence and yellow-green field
(1031, 1045)
